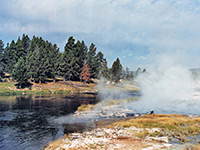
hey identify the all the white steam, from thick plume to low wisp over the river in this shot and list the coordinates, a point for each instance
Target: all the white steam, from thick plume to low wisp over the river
(166, 87)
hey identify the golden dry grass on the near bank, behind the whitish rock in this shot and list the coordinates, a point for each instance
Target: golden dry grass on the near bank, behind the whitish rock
(178, 126)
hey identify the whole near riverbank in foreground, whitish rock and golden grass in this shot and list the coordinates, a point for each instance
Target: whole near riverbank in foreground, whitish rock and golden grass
(145, 132)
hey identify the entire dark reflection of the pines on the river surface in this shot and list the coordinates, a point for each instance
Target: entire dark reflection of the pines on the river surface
(33, 114)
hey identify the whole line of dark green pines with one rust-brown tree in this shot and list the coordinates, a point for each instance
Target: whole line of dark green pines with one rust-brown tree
(38, 60)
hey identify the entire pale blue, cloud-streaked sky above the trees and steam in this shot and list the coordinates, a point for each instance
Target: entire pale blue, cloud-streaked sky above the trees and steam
(136, 31)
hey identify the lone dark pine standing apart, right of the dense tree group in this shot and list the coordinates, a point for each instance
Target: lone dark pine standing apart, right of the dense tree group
(116, 71)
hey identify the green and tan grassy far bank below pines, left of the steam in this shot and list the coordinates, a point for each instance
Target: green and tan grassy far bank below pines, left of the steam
(9, 88)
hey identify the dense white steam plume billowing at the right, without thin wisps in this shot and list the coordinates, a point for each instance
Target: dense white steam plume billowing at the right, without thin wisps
(169, 88)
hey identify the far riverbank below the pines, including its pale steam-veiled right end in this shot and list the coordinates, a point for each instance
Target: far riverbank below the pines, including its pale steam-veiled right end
(61, 87)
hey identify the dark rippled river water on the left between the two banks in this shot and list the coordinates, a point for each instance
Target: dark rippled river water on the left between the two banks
(27, 122)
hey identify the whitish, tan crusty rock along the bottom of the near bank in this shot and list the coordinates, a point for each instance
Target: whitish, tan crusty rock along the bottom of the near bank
(104, 138)
